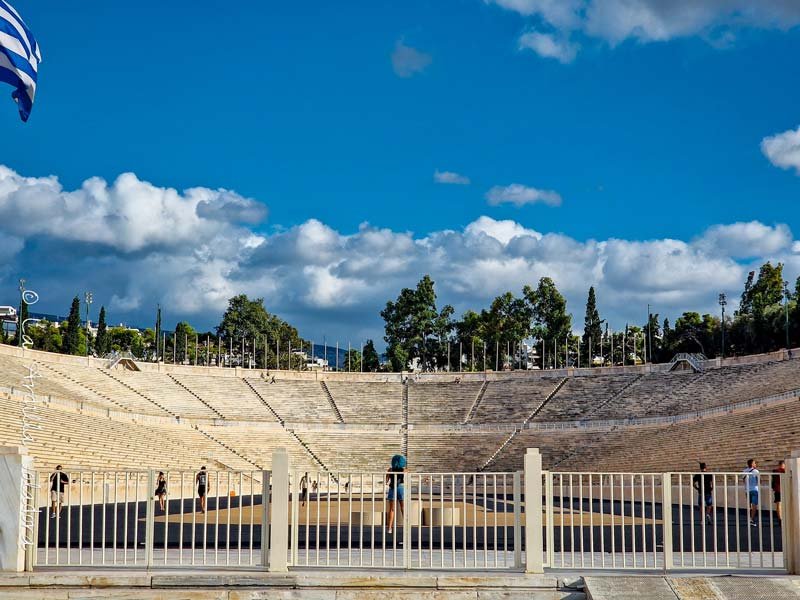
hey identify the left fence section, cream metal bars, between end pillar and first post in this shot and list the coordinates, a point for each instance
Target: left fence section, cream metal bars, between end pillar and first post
(137, 519)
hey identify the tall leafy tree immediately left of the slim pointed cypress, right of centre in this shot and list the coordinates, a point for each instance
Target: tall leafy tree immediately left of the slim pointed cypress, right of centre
(552, 322)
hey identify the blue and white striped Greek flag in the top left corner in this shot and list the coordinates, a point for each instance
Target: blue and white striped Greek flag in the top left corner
(19, 58)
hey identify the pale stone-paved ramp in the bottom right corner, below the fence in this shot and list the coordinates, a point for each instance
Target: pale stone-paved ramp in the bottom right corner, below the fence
(691, 588)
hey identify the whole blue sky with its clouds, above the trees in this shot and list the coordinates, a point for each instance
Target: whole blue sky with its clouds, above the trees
(633, 137)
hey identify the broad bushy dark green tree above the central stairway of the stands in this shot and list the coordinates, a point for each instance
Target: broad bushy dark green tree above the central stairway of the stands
(415, 328)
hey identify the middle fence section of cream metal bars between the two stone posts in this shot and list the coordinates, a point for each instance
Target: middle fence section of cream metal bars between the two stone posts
(437, 521)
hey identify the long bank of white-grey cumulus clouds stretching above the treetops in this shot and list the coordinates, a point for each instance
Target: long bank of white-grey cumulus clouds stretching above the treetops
(334, 283)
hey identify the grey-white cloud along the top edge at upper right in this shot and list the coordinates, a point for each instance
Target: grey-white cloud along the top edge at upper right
(614, 21)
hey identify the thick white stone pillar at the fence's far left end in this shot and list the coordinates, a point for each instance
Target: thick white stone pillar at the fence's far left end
(14, 460)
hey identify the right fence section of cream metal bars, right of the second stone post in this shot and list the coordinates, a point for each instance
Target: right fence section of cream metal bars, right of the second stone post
(663, 521)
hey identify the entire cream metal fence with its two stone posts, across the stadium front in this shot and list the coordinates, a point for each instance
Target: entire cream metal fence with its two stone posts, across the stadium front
(528, 519)
